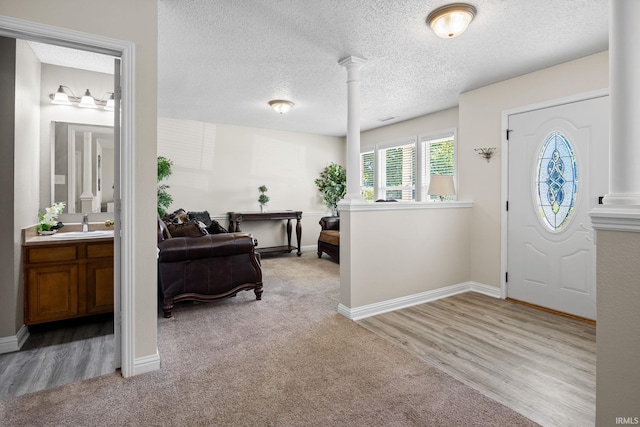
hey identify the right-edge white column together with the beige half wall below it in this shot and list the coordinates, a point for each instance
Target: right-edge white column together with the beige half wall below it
(617, 226)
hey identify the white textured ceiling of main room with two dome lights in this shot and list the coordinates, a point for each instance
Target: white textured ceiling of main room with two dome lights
(222, 61)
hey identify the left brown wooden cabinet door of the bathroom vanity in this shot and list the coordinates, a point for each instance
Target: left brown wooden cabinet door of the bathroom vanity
(52, 293)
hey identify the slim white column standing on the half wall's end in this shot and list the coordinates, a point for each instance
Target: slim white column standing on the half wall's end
(353, 65)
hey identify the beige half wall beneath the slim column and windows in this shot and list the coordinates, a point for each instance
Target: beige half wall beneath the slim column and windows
(392, 250)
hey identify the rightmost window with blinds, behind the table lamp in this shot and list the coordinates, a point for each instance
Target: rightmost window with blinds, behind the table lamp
(438, 158)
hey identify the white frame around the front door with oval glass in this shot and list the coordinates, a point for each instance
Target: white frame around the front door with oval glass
(504, 197)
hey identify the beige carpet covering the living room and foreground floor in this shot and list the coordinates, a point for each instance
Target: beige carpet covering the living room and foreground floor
(288, 360)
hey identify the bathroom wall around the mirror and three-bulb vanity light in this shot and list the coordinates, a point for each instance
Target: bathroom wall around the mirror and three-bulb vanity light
(78, 81)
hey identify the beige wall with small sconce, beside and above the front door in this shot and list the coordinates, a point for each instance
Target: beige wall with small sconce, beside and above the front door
(480, 126)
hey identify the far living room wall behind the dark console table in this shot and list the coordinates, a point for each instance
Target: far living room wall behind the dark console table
(219, 168)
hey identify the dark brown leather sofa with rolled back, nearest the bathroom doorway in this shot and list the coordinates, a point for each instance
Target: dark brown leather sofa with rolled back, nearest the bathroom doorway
(206, 268)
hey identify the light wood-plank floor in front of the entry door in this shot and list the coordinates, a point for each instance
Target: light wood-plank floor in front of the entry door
(540, 364)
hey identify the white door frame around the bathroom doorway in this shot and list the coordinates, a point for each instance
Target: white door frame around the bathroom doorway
(125, 205)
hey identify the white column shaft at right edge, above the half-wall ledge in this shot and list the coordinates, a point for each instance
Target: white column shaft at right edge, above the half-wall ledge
(624, 63)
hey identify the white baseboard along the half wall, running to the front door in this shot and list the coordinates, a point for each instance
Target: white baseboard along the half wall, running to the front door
(358, 313)
